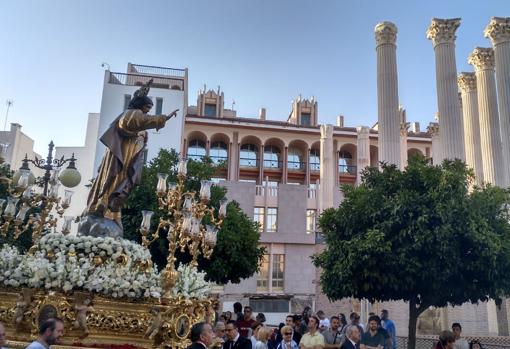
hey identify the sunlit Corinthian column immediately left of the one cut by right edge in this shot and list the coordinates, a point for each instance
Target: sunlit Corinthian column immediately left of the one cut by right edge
(483, 61)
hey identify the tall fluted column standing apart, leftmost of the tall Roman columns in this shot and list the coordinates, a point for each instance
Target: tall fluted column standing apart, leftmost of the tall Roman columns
(387, 93)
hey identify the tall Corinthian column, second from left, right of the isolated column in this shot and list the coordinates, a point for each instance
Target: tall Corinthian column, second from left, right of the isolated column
(442, 34)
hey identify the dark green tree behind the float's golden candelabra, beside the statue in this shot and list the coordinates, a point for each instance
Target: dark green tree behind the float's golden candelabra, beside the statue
(236, 255)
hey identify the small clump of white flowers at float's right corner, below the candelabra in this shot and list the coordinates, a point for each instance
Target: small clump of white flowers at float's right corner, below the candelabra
(191, 283)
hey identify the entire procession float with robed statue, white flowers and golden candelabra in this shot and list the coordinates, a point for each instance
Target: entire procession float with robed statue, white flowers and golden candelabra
(105, 288)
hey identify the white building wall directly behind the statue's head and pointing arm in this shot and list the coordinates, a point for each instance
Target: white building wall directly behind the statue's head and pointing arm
(112, 105)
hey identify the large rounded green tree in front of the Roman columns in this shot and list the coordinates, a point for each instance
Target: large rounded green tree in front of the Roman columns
(419, 235)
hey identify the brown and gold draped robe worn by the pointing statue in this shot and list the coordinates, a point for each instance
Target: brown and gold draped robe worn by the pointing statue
(121, 167)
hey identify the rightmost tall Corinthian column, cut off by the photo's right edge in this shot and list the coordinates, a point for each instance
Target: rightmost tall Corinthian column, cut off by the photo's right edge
(498, 31)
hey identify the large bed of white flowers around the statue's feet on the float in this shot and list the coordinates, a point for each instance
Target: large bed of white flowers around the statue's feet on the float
(115, 268)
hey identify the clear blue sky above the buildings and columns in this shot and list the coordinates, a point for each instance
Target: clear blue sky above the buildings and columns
(263, 53)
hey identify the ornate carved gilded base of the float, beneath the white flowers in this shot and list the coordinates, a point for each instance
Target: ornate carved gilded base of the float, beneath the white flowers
(138, 323)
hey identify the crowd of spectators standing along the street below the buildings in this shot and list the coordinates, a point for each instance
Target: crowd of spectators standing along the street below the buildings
(241, 330)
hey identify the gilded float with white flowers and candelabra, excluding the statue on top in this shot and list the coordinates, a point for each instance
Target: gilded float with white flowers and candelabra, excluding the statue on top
(107, 289)
